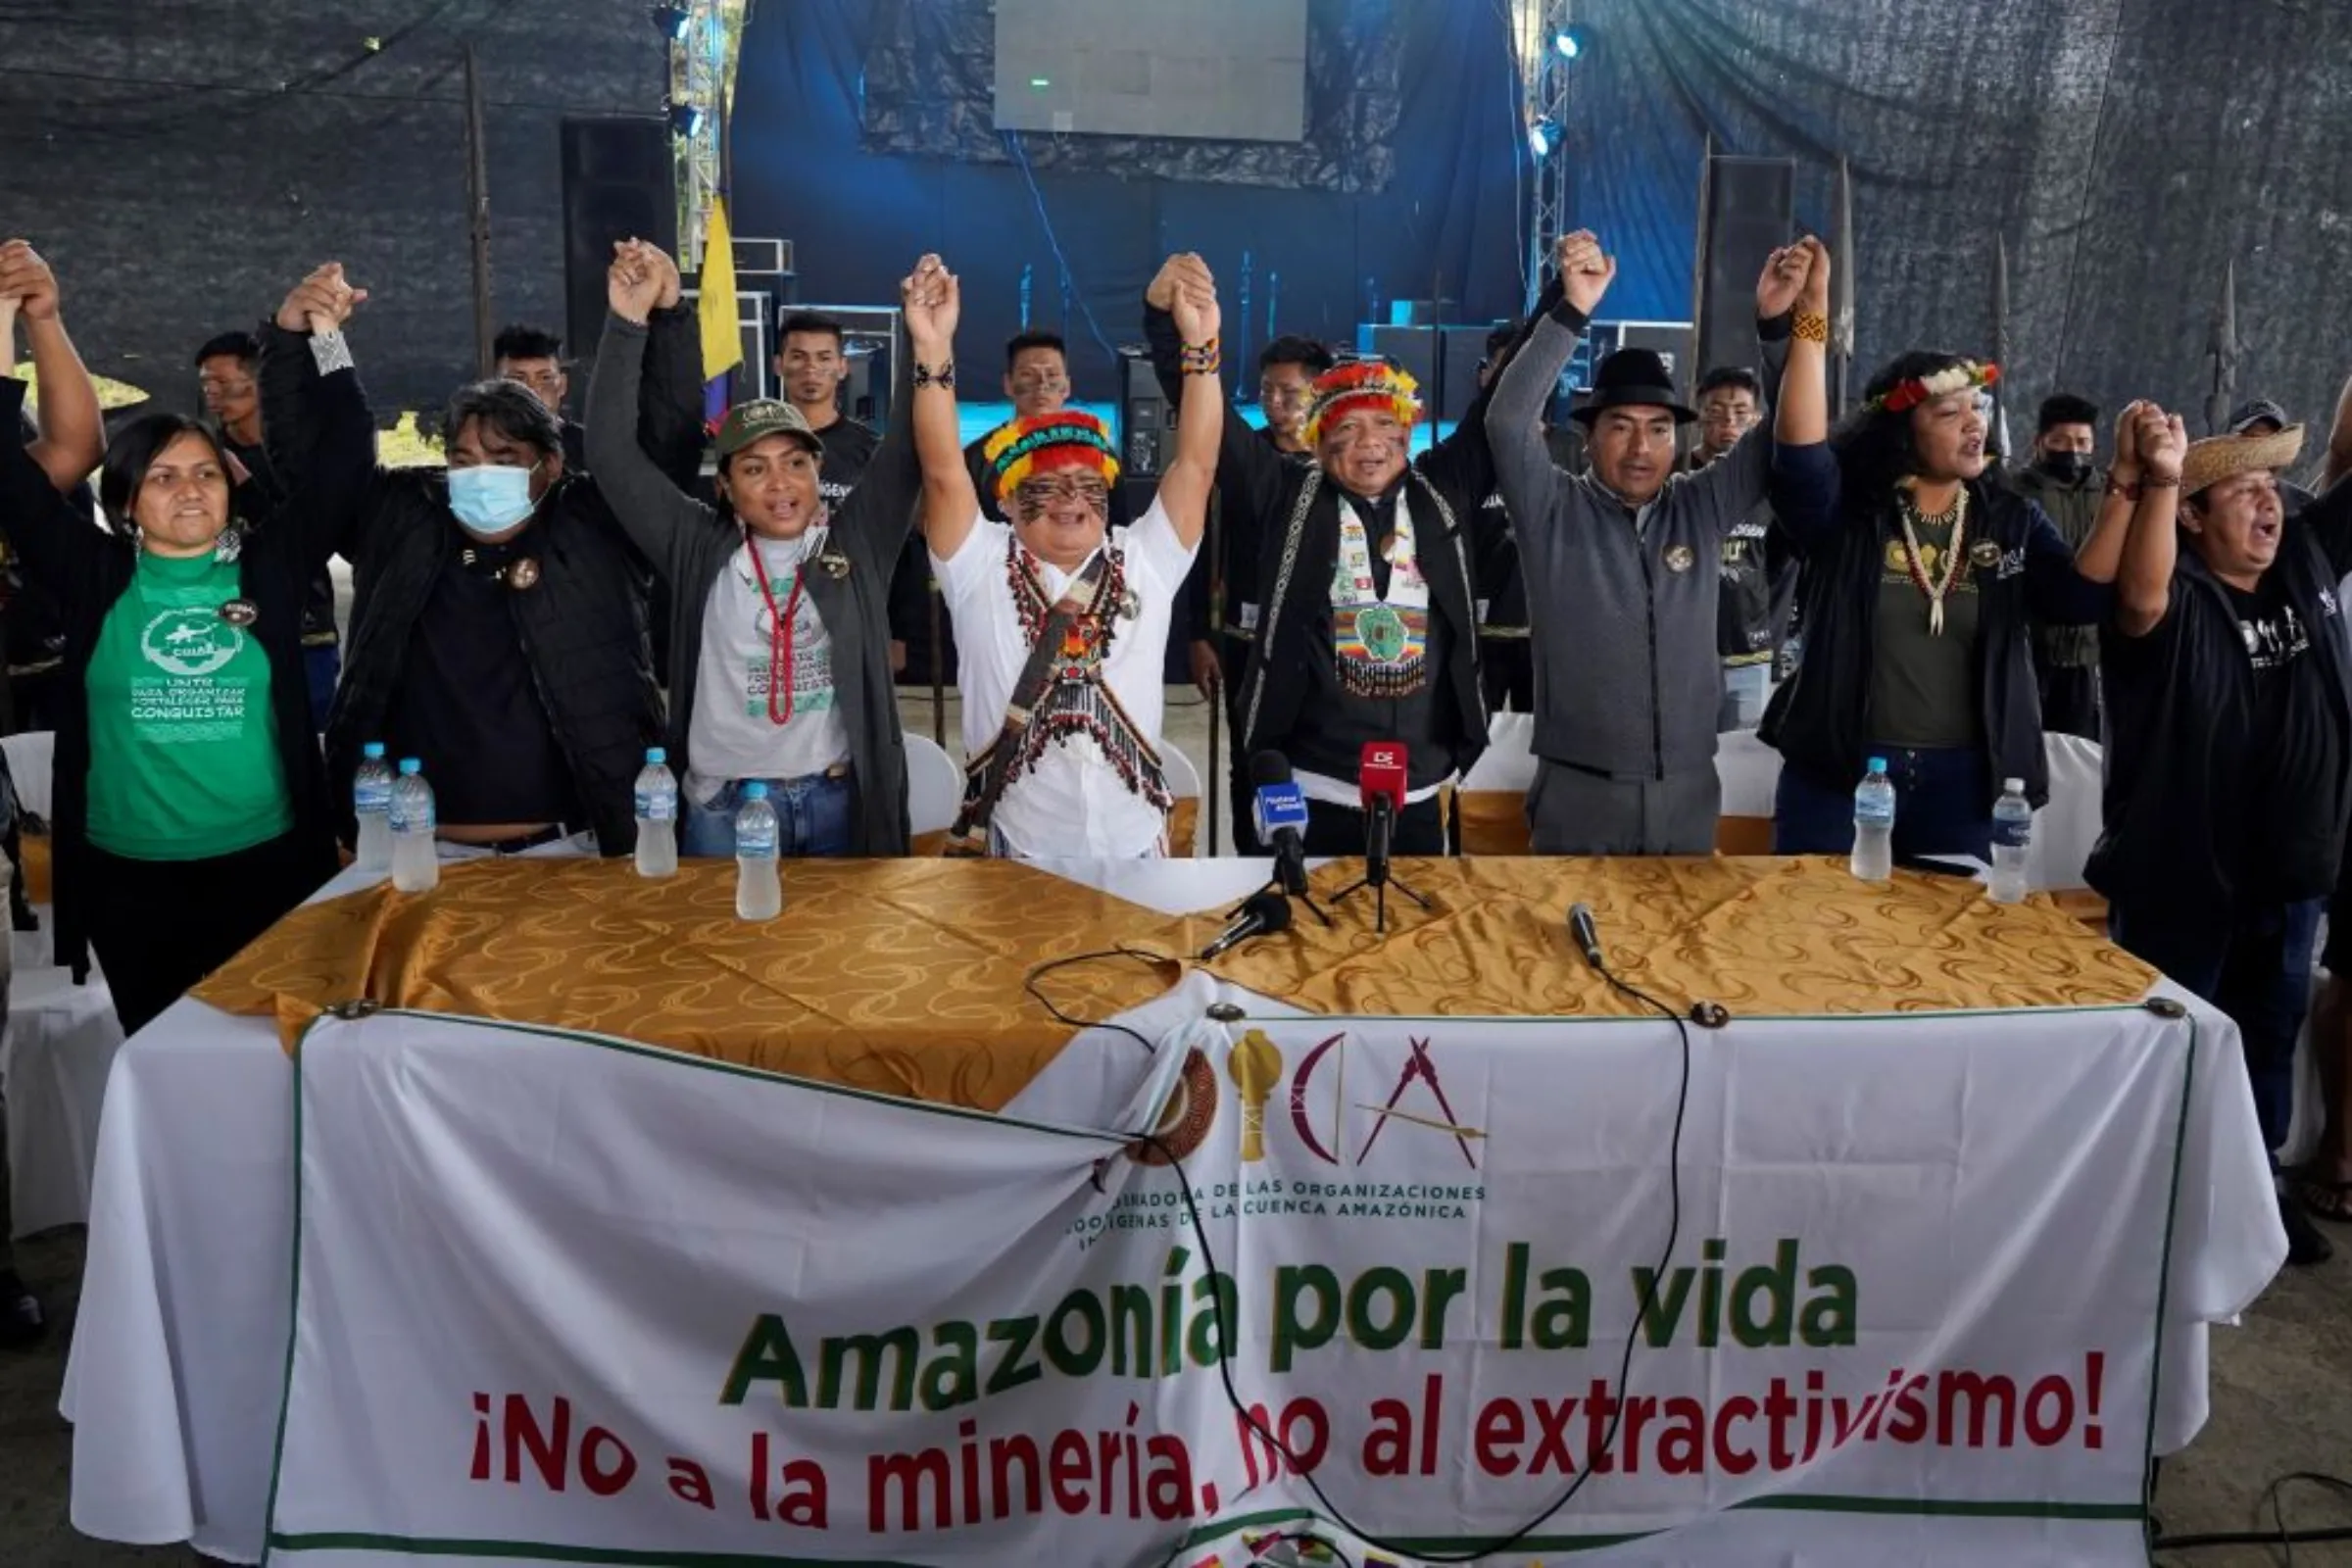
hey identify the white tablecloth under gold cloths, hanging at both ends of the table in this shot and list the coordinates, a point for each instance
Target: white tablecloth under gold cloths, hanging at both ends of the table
(182, 1336)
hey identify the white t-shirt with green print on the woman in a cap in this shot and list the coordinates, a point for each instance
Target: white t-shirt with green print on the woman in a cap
(733, 735)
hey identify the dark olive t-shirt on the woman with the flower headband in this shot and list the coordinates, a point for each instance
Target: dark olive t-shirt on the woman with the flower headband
(1923, 688)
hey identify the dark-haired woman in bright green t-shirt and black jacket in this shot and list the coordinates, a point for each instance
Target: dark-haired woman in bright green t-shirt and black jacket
(192, 800)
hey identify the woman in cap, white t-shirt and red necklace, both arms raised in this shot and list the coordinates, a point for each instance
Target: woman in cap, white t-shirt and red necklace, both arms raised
(784, 671)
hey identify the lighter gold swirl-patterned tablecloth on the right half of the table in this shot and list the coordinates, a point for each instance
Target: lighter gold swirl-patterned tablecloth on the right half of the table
(1763, 937)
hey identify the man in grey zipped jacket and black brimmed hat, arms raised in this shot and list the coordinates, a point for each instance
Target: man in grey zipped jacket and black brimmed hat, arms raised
(1624, 577)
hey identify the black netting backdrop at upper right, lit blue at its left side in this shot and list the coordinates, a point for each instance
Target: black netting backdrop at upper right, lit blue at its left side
(2125, 149)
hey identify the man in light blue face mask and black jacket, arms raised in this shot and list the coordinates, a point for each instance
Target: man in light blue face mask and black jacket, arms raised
(497, 629)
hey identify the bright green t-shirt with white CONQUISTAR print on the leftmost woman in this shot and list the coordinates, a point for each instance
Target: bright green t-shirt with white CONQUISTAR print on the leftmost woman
(182, 742)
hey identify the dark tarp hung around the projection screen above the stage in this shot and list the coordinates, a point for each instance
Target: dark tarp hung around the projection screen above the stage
(930, 91)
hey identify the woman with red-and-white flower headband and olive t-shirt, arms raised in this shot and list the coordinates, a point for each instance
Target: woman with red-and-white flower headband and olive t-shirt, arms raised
(1918, 591)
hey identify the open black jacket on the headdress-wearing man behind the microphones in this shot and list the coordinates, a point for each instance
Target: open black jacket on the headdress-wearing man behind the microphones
(1259, 492)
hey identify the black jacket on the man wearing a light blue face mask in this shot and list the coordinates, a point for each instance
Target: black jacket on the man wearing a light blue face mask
(582, 624)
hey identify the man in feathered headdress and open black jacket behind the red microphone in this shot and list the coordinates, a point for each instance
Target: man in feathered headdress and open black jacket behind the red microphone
(1370, 598)
